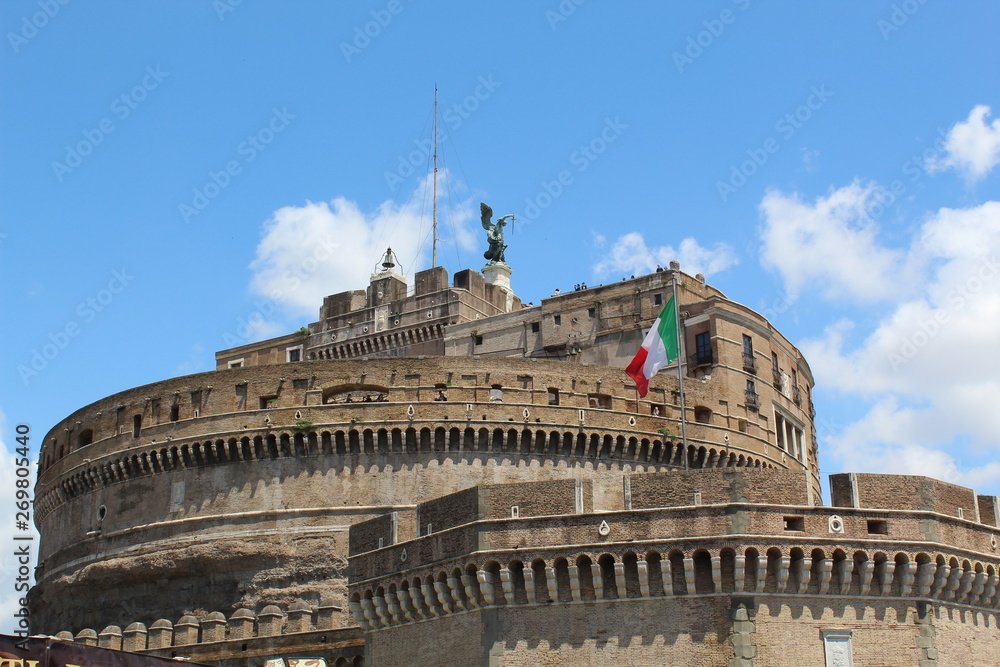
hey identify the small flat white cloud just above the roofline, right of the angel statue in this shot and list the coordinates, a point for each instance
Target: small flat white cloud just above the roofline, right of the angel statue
(630, 255)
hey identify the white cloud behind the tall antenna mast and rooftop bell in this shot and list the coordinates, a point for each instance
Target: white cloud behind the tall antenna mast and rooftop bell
(311, 251)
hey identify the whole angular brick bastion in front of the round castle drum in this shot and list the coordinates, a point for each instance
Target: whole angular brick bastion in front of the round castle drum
(727, 582)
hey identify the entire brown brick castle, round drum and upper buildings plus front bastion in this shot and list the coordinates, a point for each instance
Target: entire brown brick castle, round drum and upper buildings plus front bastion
(441, 474)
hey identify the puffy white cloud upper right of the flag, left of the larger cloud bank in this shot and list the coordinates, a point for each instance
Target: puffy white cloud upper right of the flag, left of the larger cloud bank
(831, 245)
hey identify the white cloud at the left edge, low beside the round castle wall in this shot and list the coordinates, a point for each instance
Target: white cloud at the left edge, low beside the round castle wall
(9, 565)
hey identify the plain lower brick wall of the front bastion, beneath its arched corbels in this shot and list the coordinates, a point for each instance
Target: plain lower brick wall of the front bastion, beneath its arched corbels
(705, 631)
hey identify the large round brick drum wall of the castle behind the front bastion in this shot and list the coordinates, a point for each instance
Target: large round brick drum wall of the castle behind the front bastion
(260, 471)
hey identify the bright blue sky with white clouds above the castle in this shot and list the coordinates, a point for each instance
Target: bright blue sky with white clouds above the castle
(180, 177)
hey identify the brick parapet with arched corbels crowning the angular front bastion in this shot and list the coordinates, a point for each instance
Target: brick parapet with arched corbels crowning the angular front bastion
(684, 534)
